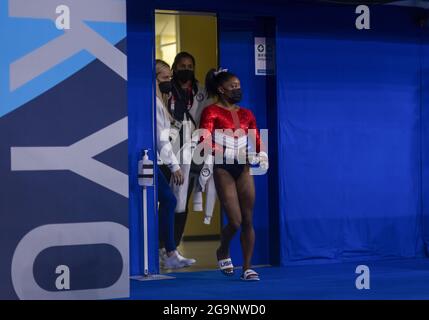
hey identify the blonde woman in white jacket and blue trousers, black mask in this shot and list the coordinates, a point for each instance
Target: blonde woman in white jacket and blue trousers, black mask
(167, 201)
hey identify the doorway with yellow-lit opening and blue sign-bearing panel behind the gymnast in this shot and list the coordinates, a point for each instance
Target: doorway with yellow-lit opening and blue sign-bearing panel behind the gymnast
(231, 41)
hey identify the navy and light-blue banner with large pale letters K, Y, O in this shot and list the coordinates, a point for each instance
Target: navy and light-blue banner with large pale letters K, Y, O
(65, 206)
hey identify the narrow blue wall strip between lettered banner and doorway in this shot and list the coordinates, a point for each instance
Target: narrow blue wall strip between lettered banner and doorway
(141, 52)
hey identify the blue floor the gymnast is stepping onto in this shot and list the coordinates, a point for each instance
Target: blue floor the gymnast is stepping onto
(389, 279)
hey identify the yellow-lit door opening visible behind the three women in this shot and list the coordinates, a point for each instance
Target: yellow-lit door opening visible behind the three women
(195, 33)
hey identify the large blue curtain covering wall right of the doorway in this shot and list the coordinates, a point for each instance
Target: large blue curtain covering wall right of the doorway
(349, 136)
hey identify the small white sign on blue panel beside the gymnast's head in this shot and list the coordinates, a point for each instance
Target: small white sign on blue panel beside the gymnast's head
(264, 56)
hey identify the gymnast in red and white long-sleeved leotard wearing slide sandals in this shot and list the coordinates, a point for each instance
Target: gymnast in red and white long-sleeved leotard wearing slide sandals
(227, 131)
